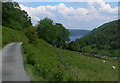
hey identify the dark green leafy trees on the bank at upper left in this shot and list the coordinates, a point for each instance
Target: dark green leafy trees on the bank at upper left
(13, 17)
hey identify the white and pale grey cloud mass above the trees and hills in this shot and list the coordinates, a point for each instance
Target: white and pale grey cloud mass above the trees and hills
(81, 18)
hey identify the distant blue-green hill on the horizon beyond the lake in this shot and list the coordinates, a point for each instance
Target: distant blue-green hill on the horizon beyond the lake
(77, 32)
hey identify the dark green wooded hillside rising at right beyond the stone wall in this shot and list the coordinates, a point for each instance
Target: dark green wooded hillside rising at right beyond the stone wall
(102, 40)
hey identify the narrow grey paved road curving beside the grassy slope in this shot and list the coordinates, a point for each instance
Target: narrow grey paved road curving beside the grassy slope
(12, 64)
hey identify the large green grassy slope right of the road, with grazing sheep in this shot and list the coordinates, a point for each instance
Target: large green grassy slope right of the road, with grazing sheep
(47, 63)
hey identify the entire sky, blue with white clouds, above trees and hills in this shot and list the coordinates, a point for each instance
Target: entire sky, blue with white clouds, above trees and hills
(73, 15)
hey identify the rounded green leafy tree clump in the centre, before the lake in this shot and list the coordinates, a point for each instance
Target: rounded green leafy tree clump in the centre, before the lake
(53, 33)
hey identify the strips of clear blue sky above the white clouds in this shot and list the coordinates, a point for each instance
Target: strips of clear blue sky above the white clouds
(70, 4)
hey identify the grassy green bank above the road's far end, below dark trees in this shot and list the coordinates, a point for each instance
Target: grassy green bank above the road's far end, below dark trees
(11, 35)
